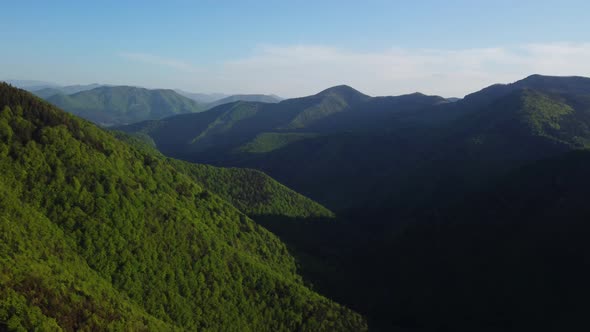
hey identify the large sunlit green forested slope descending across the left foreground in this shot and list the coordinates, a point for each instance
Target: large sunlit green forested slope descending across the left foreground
(146, 232)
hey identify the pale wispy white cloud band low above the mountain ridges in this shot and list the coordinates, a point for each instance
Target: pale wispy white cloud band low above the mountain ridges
(296, 70)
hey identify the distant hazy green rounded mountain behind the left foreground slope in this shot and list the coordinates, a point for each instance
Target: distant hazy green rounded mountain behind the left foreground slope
(123, 104)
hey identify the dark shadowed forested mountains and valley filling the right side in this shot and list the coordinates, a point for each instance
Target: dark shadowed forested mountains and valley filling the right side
(450, 215)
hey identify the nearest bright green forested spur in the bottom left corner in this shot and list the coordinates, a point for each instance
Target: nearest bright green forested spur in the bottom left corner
(46, 285)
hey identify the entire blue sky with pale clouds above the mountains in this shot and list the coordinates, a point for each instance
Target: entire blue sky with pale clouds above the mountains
(294, 48)
